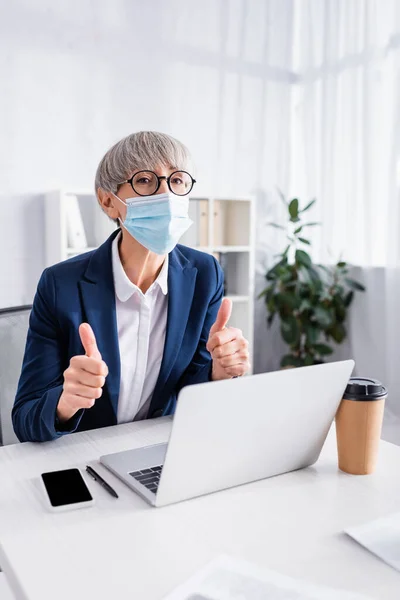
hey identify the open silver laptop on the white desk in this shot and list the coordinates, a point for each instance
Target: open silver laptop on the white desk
(231, 432)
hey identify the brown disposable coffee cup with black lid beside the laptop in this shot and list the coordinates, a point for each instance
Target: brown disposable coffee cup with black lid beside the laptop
(359, 425)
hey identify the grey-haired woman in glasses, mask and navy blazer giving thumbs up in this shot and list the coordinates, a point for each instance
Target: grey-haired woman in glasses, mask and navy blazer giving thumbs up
(115, 333)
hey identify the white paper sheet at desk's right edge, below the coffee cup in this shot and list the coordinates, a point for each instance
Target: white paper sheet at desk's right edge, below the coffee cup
(381, 537)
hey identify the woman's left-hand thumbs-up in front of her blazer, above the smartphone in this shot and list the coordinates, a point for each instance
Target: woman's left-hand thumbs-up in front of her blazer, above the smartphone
(84, 378)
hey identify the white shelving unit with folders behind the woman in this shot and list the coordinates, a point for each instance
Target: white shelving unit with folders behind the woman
(224, 227)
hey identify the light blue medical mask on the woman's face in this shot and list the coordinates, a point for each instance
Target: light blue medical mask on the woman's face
(157, 222)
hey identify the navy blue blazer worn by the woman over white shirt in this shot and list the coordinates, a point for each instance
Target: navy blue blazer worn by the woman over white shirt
(80, 290)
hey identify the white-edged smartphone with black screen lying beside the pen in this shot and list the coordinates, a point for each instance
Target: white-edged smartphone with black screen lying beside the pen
(66, 490)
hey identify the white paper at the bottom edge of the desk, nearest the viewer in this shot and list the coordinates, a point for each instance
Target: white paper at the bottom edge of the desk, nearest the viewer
(228, 578)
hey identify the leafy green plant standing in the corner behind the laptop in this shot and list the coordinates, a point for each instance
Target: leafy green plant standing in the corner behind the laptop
(311, 300)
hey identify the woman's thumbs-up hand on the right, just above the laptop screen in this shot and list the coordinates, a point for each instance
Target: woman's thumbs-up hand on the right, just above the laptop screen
(227, 346)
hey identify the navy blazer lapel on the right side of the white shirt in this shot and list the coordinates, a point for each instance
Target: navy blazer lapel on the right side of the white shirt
(181, 283)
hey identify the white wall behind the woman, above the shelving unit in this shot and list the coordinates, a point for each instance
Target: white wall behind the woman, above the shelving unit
(77, 75)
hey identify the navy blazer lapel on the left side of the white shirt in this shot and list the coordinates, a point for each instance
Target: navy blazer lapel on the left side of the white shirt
(98, 299)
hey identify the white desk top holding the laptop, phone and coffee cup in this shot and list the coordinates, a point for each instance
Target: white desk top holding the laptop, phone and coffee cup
(124, 549)
